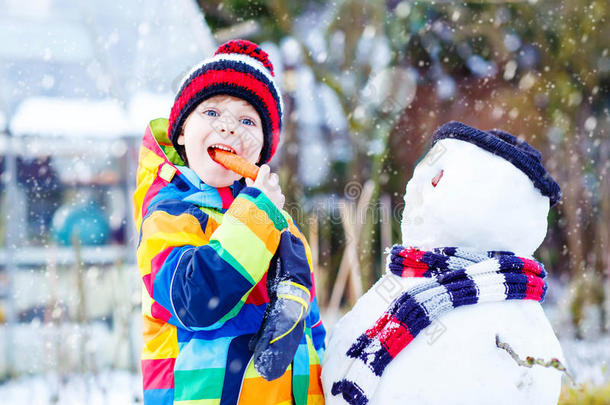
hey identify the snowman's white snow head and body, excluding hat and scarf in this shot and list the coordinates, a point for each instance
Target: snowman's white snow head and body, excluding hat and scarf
(461, 195)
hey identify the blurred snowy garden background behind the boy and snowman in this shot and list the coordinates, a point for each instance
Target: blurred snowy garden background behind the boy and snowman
(365, 83)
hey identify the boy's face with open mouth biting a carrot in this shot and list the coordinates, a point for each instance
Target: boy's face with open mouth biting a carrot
(224, 121)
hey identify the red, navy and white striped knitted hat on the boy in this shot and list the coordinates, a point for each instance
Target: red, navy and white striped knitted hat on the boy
(238, 68)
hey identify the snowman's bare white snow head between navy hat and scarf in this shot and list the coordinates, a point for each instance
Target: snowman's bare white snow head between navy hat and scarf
(510, 215)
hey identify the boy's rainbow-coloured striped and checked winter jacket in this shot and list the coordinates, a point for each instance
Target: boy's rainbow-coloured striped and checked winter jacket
(203, 268)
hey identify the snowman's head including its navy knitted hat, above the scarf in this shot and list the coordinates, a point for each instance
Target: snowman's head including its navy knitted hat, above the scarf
(480, 190)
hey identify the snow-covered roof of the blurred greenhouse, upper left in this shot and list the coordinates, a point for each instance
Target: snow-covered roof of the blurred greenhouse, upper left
(75, 92)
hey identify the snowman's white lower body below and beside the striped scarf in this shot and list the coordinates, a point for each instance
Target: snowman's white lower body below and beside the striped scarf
(458, 350)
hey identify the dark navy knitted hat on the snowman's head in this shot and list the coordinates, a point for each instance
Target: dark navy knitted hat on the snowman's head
(522, 155)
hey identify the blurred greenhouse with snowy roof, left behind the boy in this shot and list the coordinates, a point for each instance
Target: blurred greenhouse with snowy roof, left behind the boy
(78, 85)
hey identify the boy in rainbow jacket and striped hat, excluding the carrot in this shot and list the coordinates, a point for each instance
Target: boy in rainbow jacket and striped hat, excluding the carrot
(207, 244)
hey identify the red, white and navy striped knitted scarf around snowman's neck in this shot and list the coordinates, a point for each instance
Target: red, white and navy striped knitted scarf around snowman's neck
(453, 277)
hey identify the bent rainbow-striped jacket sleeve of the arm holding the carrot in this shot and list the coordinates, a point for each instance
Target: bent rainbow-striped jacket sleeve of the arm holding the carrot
(200, 279)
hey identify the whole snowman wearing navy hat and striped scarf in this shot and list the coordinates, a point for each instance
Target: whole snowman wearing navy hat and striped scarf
(457, 315)
